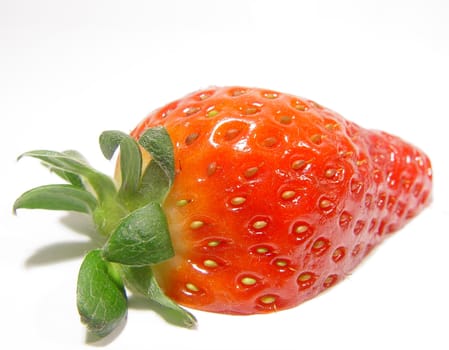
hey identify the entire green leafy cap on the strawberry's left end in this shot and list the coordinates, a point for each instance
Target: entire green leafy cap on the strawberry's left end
(129, 216)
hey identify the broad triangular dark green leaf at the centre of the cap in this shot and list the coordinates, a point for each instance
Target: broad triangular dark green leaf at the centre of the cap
(141, 238)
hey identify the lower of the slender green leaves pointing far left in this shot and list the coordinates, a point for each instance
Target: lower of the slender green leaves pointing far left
(57, 197)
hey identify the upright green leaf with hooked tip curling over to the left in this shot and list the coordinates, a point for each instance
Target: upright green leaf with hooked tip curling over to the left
(130, 158)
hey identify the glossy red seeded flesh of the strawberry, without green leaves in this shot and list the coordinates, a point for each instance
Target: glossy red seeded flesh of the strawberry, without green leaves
(351, 188)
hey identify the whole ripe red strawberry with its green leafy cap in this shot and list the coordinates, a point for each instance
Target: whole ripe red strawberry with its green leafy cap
(237, 200)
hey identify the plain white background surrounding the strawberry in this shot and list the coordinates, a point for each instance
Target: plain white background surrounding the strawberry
(71, 69)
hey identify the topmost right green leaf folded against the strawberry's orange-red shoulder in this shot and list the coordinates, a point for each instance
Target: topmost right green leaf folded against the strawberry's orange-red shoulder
(158, 143)
